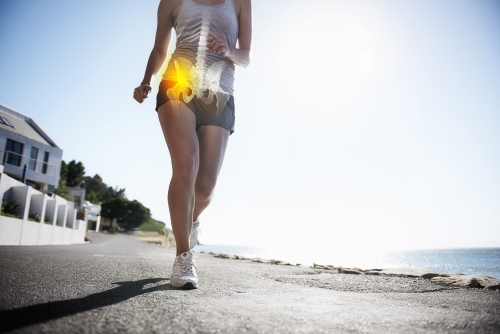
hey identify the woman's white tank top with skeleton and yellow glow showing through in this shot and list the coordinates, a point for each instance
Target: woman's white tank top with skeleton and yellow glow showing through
(191, 63)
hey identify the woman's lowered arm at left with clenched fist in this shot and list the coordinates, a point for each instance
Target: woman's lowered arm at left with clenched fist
(159, 52)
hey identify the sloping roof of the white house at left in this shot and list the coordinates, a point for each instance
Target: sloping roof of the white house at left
(24, 126)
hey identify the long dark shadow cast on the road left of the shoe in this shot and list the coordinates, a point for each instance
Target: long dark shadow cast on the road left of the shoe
(21, 317)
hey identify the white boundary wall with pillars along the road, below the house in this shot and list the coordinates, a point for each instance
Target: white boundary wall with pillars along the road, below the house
(57, 226)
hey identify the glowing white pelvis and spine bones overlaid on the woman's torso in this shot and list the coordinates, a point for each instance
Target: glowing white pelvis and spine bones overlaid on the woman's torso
(197, 80)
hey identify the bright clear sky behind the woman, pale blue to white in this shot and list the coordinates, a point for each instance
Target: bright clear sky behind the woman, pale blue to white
(357, 122)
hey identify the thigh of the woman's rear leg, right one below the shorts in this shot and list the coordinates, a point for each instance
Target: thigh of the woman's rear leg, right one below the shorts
(212, 143)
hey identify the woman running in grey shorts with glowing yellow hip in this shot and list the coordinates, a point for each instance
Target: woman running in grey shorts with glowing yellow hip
(195, 106)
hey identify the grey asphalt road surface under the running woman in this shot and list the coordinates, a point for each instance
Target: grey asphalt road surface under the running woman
(118, 284)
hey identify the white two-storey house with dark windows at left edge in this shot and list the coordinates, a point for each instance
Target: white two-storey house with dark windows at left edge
(23, 142)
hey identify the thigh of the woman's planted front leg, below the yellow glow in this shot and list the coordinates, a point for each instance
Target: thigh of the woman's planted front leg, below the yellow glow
(178, 124)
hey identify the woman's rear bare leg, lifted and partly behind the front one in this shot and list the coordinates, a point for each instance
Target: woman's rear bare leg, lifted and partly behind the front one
(212, 147)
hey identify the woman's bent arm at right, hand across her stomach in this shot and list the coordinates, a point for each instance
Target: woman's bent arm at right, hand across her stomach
(241, 55)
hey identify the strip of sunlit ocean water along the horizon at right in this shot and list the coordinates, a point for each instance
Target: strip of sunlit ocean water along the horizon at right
(469, 261)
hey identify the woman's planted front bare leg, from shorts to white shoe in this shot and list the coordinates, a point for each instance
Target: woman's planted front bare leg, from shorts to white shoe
(179, 128)
